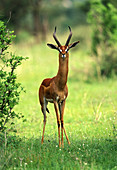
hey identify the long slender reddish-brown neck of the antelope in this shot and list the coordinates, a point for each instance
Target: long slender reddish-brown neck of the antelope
(61, 78)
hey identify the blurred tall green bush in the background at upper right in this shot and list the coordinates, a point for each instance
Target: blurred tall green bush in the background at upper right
(104, 36)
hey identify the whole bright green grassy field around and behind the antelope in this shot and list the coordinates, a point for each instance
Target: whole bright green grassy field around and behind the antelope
(90, 117)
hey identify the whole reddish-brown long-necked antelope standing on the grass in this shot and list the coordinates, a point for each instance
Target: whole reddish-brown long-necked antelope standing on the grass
(55, 89)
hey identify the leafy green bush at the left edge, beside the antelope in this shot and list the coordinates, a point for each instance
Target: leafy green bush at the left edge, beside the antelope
(9, 88)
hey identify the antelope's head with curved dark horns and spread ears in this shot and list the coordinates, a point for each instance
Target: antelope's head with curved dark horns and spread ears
(63, 49)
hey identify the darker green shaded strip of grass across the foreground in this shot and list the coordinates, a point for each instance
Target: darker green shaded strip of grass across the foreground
(17, 153)
